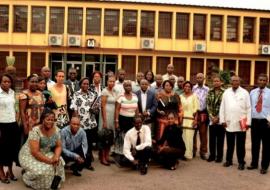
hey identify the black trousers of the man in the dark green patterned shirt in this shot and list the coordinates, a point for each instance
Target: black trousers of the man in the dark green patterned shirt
(216, 141)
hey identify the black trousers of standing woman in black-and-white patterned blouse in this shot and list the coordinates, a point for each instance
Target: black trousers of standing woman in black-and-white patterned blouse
(91, 135)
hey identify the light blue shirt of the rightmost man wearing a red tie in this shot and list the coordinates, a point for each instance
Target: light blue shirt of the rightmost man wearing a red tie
(254, 94)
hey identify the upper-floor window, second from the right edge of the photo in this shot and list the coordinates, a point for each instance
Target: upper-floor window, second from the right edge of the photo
(248, 30)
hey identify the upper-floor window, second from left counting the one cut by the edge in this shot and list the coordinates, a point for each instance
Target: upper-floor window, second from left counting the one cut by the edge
(20, 19)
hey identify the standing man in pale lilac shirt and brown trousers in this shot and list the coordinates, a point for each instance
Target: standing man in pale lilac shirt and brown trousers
(202, 117)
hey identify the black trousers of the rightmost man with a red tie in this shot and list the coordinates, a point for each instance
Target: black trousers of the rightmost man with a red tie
(260, 132)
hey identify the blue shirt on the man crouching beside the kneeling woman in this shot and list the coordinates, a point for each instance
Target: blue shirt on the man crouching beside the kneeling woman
(71, 142)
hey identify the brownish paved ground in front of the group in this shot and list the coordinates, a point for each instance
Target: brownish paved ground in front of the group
(191, 175)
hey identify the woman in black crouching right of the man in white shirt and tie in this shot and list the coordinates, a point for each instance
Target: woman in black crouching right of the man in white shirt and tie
(171, 144)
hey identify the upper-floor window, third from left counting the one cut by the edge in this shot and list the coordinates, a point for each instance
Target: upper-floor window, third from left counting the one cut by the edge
(38, 19)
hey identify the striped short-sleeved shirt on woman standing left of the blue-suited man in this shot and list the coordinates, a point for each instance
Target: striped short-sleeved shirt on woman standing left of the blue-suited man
(128, 107)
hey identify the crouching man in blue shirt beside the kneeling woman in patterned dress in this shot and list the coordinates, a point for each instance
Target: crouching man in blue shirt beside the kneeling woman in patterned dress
(74, 145)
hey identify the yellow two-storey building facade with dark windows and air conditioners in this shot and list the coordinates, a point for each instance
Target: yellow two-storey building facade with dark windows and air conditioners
(107, 35)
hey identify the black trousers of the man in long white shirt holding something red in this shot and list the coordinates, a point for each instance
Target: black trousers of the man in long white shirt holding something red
(240, 138)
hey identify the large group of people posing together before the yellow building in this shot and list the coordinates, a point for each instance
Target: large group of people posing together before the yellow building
(50, 126)
